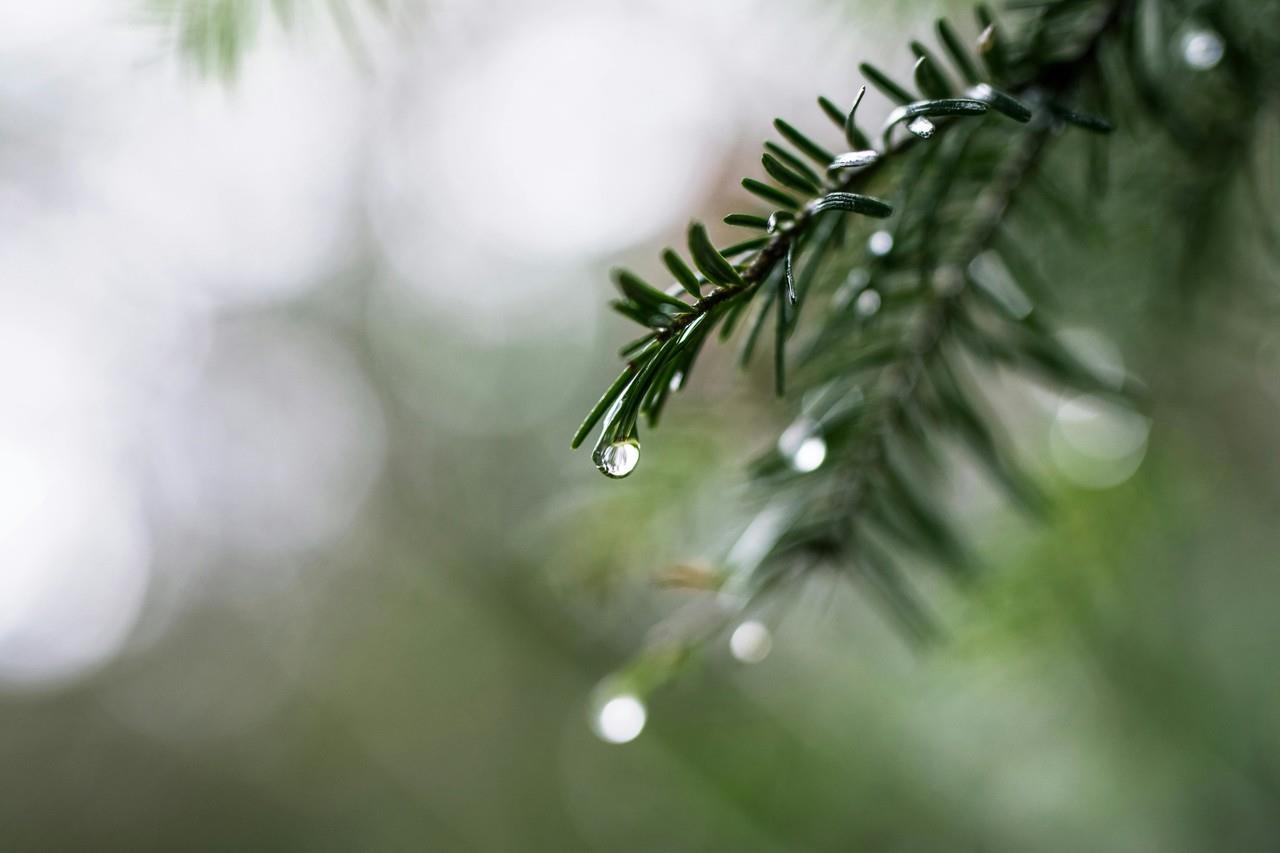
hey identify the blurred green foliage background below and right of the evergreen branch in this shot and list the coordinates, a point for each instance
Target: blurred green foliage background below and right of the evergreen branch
(1109, 683)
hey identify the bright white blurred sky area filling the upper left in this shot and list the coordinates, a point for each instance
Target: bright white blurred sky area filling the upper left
(164, 416)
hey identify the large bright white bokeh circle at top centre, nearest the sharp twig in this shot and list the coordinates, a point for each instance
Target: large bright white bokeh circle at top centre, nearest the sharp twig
(529, 144)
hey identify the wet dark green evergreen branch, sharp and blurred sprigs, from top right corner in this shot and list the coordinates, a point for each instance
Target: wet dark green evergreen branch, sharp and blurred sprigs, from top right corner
(944, 289)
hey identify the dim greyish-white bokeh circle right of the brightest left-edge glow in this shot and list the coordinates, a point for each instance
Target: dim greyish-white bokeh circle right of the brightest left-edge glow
(277, 449)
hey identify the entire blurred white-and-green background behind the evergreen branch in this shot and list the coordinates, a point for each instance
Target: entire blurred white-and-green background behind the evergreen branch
(294, 554)
